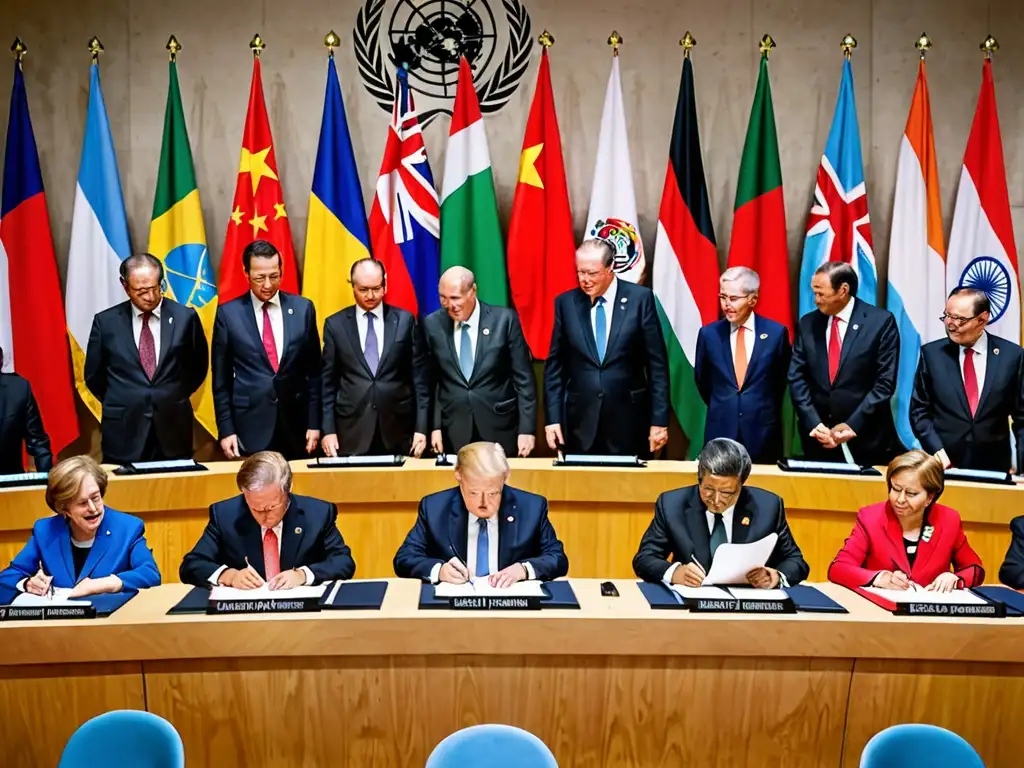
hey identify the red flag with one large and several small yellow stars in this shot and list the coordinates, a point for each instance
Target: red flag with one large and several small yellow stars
(259, 212)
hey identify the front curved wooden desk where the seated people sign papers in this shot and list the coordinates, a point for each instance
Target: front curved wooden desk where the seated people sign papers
(612, 685)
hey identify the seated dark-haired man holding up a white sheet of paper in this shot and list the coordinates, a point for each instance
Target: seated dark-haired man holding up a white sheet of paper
(691, 524)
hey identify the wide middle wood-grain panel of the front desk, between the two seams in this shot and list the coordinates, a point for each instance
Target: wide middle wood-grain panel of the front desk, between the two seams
(592, 712)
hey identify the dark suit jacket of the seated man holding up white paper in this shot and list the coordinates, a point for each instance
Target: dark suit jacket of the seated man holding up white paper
(680, 530)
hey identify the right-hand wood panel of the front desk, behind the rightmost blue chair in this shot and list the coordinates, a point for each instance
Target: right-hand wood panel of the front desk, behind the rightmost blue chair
(980, 702)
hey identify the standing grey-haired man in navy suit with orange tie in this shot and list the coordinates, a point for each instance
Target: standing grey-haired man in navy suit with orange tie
(741, 370)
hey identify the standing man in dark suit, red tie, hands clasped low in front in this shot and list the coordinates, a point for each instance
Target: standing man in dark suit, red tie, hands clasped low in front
(843, 373)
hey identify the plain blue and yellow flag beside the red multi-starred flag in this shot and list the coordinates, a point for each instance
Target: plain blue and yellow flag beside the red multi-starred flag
(337, 235)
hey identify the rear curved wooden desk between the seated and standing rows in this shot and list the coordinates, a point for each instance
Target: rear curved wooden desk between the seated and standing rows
(601, 515)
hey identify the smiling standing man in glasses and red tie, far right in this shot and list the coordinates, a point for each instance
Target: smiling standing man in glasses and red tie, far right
(967, 390)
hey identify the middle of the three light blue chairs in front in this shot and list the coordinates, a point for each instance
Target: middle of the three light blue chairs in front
(492, 747)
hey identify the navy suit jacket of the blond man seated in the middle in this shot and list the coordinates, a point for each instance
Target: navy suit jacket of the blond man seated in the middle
(442, 531)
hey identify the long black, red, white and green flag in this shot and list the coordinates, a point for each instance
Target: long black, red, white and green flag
(686, 270)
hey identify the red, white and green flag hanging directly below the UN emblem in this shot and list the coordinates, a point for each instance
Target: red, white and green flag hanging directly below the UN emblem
(472, 235)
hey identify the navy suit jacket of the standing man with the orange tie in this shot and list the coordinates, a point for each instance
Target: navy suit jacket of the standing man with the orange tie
(751, 415)
